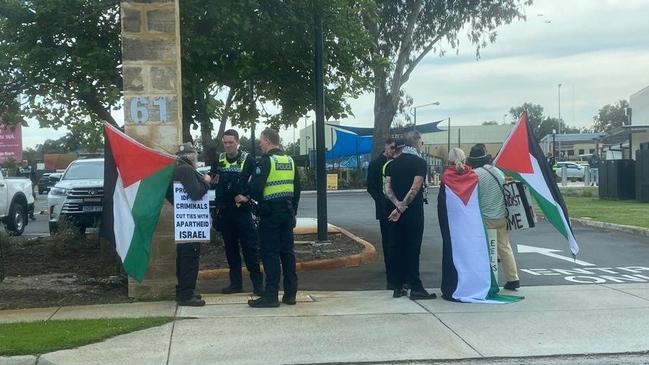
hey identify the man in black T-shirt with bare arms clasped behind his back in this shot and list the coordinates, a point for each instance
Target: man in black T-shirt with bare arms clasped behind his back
(404, 188)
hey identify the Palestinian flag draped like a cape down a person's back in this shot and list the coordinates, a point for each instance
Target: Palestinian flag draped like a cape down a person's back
(467, 271)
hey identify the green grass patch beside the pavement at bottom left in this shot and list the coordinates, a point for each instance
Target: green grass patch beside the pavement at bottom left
(31, 338)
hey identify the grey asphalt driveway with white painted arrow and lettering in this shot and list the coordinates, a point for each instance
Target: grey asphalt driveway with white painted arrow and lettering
(605, 257)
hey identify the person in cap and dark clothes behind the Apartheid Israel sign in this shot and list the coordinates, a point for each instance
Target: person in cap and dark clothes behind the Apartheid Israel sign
(187, 253)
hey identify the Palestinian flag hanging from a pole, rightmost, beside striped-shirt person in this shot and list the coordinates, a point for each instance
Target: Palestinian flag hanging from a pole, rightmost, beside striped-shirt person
(522, 158)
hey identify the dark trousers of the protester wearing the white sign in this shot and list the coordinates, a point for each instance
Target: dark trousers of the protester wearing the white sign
(187, 255)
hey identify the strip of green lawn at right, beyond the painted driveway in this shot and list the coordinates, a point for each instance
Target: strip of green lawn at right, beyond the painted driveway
(627, 212)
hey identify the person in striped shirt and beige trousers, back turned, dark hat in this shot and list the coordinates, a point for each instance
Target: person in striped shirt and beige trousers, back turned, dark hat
(494, 211)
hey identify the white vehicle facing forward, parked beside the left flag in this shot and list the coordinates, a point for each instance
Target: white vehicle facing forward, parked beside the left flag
(78, 196)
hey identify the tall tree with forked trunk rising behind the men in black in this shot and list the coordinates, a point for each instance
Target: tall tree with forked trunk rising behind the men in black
(404, 32)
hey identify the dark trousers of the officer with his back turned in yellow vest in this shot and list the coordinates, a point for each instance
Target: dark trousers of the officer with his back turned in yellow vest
(277, 248)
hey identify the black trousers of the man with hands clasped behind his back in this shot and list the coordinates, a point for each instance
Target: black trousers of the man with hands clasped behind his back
(404, 248)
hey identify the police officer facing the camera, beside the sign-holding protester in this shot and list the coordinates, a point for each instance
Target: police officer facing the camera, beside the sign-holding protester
(234, 218)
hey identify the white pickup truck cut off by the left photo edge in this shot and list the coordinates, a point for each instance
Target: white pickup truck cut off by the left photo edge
(16, 203)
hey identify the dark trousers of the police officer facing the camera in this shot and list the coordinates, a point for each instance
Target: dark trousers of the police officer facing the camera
(240, 237)
